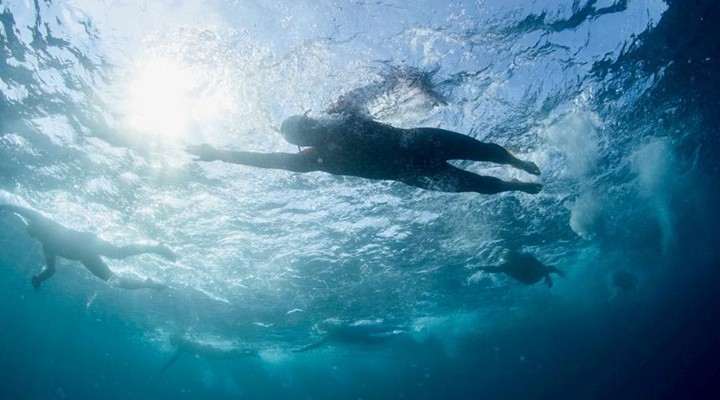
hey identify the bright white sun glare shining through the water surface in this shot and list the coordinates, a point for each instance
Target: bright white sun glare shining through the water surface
(166, 98)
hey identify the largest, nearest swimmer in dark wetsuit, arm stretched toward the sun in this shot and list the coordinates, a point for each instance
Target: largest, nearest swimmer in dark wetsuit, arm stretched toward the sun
(355, 145)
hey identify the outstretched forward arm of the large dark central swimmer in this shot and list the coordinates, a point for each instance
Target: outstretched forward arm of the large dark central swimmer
(296, 162)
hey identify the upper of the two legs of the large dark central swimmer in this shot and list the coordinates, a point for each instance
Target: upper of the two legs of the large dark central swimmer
(451, 145)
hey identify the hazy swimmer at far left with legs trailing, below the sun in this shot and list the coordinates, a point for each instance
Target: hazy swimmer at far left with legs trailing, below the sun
(86, 247)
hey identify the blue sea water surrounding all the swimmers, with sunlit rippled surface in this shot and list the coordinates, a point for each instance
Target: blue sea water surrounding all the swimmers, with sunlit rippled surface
(617, 102)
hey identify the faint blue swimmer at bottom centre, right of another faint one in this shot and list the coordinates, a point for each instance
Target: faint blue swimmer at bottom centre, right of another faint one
(360, 332)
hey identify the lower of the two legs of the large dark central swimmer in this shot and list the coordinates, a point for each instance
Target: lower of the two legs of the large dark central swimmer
(453, 179)
